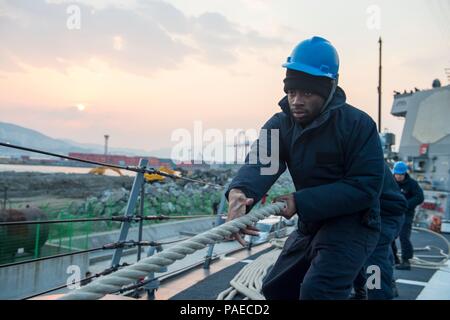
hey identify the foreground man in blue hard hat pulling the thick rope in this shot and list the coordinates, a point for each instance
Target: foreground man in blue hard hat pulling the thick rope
(336, 162)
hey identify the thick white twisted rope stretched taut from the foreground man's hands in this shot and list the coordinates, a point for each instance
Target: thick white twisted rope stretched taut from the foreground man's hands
(115, 281)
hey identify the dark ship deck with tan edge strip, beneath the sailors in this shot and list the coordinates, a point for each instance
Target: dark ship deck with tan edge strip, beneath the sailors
(416, 284)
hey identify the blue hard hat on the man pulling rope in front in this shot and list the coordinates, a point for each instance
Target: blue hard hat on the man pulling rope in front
(315, 56)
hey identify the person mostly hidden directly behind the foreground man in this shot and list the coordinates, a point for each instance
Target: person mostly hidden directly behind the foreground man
(393, 206)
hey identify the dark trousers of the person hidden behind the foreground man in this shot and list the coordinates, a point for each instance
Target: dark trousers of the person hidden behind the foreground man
(382, 257)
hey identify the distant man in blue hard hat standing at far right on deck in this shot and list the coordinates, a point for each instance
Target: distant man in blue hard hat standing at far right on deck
(414, 196)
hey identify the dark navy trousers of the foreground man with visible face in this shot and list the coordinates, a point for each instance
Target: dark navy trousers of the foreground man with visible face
(321, 266)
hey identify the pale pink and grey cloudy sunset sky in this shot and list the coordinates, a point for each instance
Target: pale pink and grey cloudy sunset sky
(138, 70)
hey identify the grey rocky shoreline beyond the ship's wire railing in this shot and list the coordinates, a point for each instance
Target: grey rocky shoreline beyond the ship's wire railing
(82, 194)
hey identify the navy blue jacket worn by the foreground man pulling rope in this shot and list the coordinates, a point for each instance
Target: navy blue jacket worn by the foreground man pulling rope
(336, 163)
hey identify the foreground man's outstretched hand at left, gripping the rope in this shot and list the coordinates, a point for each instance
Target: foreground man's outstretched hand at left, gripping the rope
(237, 207)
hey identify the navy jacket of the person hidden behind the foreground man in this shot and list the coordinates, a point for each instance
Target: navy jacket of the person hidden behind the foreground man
(392, 201)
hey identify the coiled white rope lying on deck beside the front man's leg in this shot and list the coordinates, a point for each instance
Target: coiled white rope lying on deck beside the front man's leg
(248, 281)
